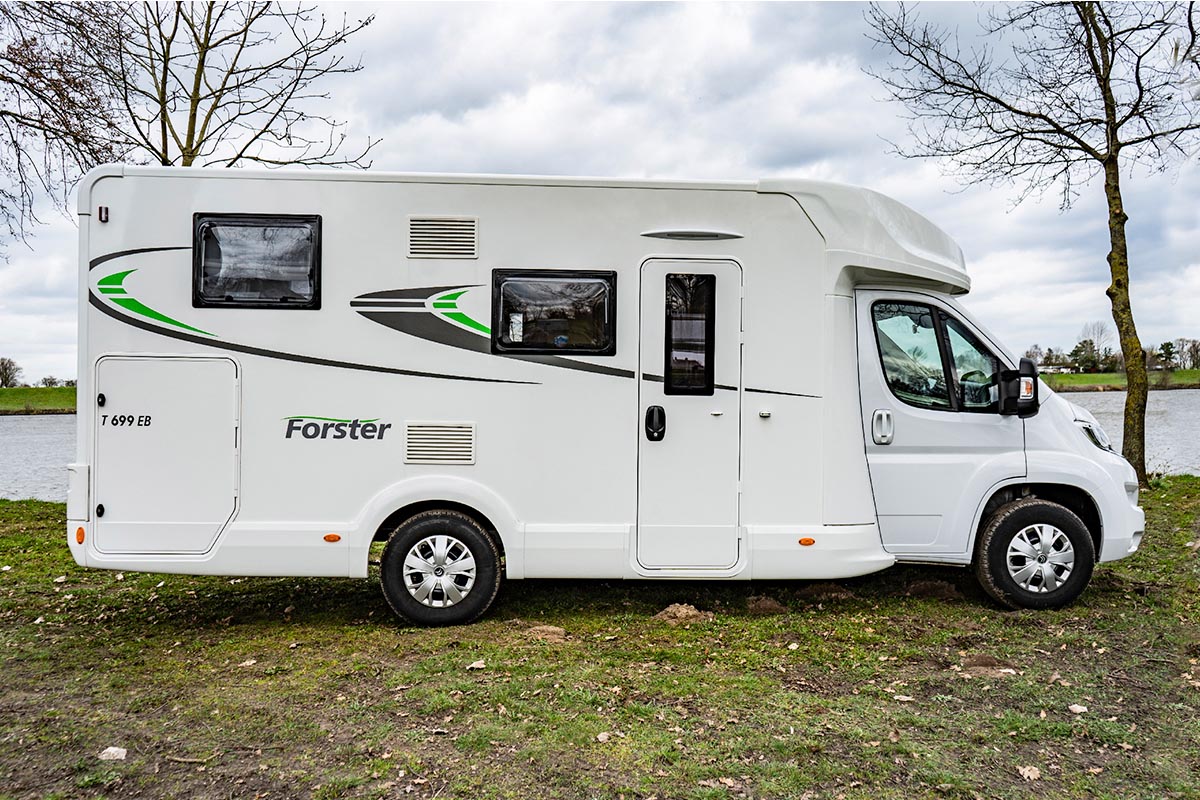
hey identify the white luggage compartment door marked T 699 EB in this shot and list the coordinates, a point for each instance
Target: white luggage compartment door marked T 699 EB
(166, 461)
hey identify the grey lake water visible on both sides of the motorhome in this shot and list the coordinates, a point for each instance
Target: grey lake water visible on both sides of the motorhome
(35, 450)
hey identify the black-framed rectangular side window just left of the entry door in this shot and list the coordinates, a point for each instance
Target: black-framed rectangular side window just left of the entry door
(555, 312)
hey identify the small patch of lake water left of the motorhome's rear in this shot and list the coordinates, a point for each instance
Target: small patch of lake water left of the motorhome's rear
(34, 454)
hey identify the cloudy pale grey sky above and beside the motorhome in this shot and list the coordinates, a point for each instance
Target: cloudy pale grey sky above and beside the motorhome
(697, 92)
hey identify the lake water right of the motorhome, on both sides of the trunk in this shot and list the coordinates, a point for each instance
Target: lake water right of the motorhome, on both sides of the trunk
(1173, 424)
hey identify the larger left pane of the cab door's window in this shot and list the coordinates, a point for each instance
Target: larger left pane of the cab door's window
(911, 358)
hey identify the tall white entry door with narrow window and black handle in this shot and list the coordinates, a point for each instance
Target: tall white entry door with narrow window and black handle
(689, 404)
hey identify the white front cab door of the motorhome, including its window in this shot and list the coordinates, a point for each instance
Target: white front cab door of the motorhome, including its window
(937, 443)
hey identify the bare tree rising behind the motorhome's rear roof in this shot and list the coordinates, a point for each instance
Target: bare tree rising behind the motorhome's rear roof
(226, 83)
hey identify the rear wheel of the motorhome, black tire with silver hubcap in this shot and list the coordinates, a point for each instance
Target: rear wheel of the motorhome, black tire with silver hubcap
(454, 573)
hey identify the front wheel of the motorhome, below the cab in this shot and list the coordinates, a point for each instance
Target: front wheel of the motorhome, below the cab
(1035, 555)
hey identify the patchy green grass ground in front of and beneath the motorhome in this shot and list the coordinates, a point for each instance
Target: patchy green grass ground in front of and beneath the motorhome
(899, 685)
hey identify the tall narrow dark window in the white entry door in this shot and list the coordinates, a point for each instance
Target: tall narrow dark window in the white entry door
(691, 328)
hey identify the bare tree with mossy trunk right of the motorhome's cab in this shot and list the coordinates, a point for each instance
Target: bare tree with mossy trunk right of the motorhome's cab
(1079, 91)
